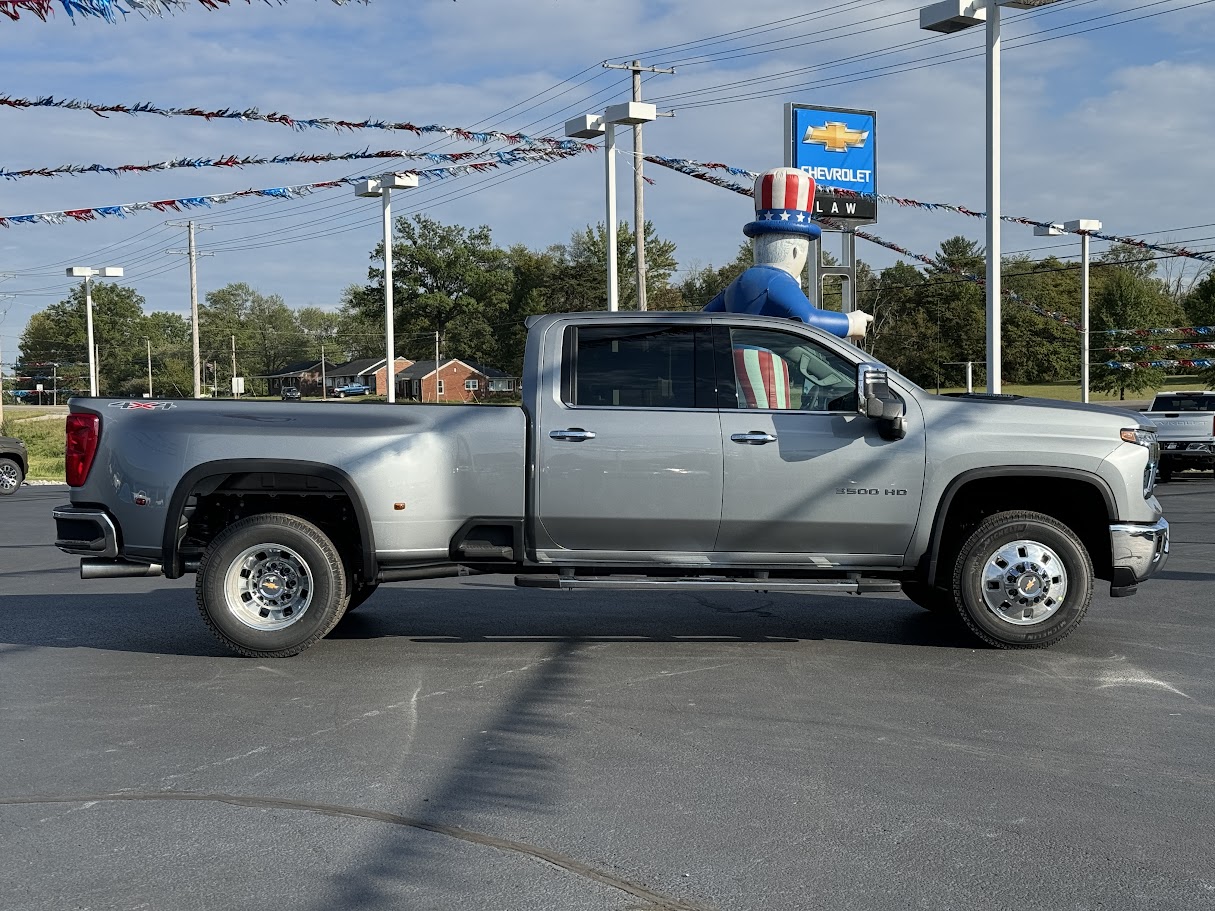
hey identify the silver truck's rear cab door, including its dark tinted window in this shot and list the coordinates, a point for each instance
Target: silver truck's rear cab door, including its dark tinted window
(629, 448)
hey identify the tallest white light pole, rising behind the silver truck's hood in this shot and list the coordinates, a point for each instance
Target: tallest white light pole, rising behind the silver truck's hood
(952, 16)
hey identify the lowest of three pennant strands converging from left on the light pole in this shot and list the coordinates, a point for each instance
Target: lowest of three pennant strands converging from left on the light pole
(295, 193)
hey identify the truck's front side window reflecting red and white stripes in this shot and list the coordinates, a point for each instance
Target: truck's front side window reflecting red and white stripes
(784, 372)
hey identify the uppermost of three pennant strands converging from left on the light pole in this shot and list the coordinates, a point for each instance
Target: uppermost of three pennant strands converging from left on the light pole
(296, 123)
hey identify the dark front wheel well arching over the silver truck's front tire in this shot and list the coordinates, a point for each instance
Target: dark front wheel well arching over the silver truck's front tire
(1080, 505)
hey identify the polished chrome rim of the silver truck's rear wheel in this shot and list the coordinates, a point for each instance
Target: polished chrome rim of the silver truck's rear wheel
(269, 587)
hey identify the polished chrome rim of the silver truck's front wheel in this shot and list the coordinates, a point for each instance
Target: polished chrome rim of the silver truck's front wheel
(1025, 582)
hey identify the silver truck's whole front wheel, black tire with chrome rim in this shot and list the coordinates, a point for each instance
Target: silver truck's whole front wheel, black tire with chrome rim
(1007, 574)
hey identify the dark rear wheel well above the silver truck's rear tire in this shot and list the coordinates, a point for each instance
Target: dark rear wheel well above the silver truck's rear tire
(207, 503)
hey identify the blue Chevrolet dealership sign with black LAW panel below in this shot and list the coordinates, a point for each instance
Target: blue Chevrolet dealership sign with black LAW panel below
(839, 149)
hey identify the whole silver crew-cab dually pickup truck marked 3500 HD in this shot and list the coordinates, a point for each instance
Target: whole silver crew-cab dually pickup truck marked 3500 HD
(658, 451)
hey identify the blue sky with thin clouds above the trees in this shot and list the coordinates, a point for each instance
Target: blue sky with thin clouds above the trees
(1111, 123)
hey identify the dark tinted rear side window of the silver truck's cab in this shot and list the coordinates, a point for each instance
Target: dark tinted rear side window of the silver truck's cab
(638, 367)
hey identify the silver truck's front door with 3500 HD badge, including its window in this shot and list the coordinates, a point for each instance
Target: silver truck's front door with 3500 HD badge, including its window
(805, 473)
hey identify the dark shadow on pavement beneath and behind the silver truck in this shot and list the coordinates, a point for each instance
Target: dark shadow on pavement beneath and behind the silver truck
(167, 623)
